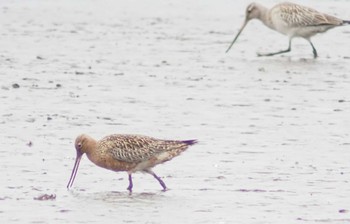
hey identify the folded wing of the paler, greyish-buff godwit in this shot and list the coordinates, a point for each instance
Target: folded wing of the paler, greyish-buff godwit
(296, 16)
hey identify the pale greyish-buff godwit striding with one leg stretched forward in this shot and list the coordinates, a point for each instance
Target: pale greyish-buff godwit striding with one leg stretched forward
(292, 20)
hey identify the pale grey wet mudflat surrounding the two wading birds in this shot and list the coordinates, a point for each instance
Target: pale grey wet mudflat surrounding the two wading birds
(273, 132)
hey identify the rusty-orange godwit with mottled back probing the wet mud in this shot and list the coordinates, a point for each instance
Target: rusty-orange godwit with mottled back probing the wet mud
(130, 153)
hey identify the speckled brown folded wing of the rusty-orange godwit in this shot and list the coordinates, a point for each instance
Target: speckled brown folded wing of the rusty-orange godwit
(133, 148)
